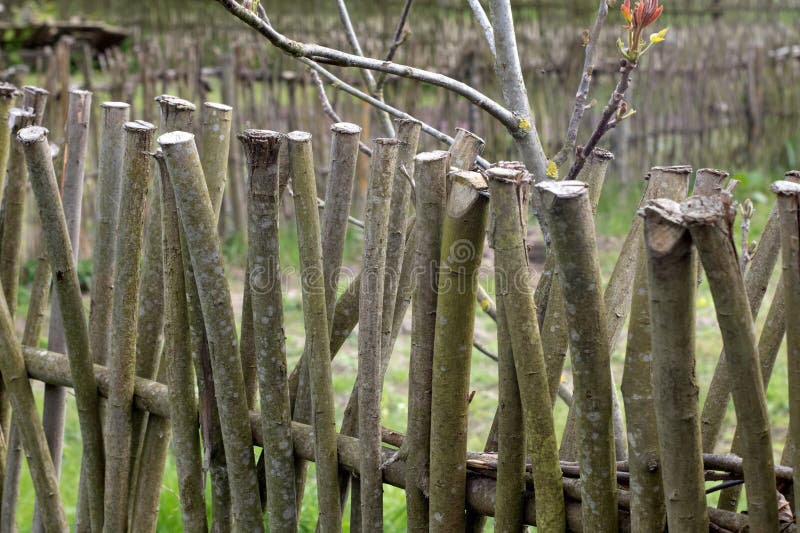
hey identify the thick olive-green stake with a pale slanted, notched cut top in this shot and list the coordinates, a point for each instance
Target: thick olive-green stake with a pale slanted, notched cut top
(463, 234)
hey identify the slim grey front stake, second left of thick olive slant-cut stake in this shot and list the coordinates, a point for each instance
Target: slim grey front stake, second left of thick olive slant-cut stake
(376, 225)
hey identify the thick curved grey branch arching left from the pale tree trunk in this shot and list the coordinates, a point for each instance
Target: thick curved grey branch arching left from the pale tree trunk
(515, 125)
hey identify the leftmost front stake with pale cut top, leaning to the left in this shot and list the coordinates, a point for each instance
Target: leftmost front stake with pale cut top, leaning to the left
(65, 280)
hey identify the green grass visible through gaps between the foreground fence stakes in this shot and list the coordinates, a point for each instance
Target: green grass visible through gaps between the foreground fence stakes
(615, 213)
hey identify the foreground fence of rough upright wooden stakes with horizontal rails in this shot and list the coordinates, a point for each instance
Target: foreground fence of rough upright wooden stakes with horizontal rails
(232, 409)
